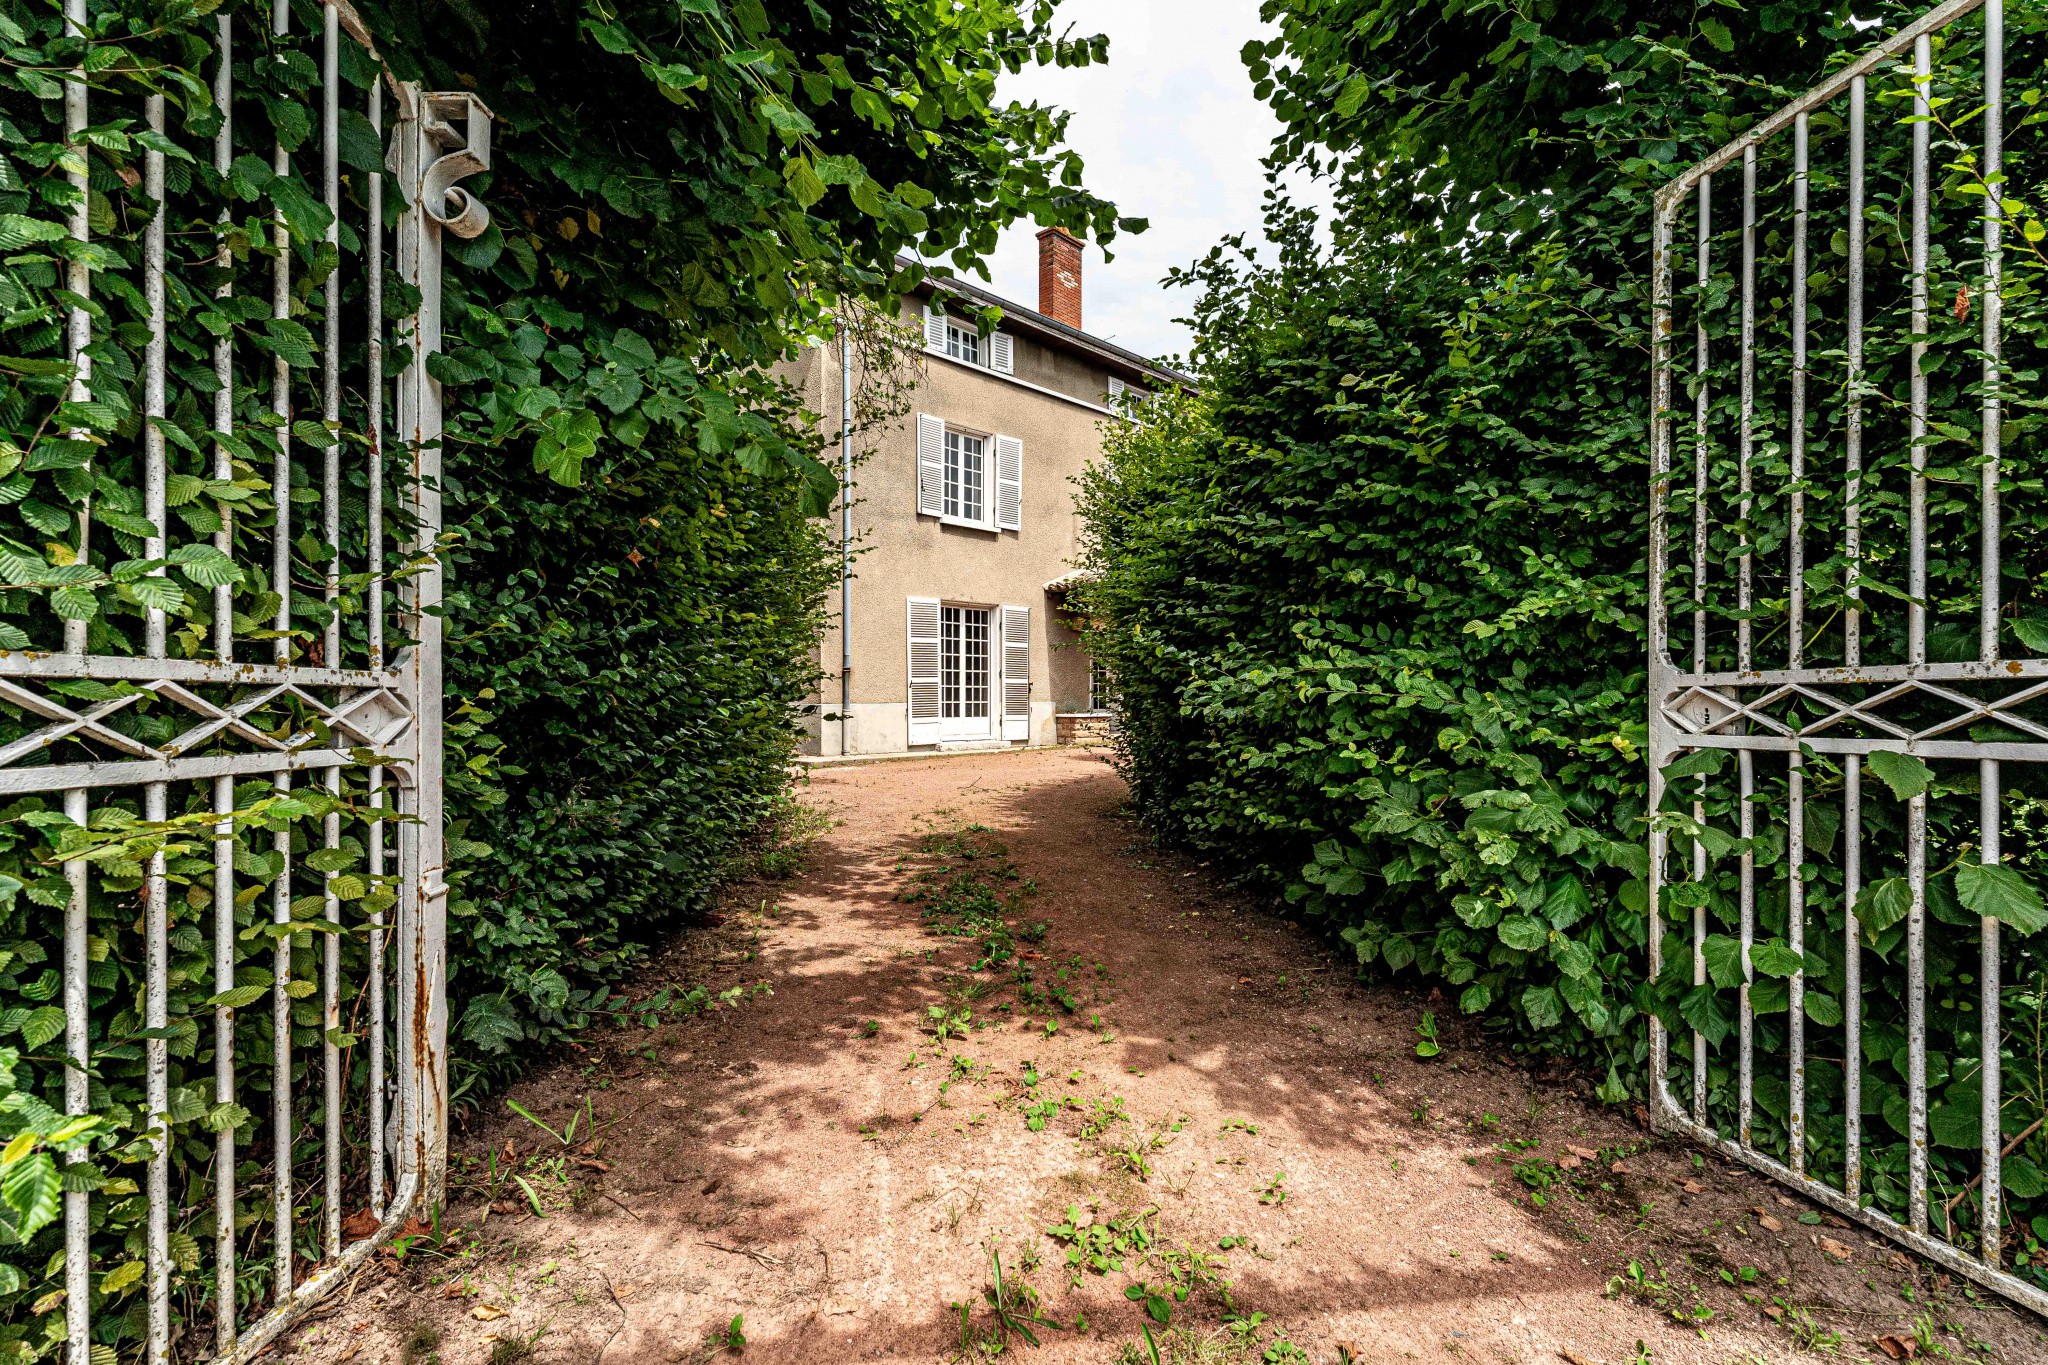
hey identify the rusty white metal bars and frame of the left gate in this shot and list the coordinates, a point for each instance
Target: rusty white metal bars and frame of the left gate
(364, 715)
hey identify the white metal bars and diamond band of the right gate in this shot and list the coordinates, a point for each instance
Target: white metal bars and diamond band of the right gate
(1734, 709)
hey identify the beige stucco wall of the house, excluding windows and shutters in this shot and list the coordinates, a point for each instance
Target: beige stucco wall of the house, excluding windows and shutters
(1056, 406)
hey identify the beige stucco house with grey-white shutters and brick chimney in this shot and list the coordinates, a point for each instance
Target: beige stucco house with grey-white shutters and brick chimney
(951, 629)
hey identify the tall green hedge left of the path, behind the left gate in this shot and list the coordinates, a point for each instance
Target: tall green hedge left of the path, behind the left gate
(683, 193)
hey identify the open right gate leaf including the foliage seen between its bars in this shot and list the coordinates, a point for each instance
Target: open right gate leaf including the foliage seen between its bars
(1820, 453)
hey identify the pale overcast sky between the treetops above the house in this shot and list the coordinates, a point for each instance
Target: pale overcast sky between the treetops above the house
(1172, 134)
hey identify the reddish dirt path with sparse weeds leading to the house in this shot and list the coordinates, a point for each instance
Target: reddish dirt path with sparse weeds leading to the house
(1220, 1104)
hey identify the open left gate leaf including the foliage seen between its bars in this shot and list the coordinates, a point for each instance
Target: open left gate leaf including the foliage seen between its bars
(247, 660)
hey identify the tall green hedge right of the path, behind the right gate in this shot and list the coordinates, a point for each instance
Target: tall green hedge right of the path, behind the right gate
(1375, 601)
